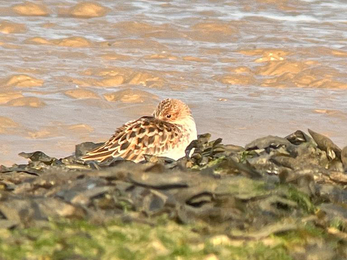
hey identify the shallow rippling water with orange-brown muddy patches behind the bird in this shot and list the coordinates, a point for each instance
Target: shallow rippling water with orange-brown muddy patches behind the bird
(246, 68)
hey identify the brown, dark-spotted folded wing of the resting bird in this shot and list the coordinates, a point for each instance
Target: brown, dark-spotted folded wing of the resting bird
(146, 135)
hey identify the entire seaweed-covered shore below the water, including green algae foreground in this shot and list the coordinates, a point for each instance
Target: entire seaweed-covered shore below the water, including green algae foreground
(275, 198)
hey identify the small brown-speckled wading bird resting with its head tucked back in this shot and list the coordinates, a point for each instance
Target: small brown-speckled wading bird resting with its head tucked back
(167, 133)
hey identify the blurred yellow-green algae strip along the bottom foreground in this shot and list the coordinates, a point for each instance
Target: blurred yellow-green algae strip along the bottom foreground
(116, 240)
